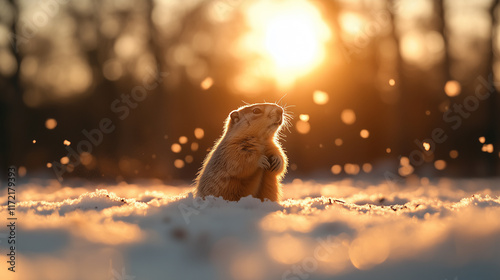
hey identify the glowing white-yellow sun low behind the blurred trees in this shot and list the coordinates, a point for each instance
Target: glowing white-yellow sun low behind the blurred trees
(290, 35)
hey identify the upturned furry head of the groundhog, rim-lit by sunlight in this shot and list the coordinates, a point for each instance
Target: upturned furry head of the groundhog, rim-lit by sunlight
(261, 119)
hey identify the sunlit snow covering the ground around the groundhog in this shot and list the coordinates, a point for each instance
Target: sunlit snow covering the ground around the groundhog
(364, 229)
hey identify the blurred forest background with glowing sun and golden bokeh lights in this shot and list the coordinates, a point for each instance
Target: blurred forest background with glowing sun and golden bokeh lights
(123, 89)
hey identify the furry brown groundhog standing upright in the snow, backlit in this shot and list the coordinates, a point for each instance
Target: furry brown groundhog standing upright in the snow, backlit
(247, 159)
